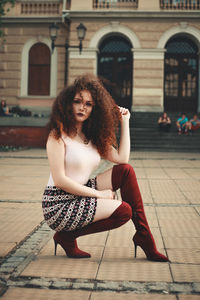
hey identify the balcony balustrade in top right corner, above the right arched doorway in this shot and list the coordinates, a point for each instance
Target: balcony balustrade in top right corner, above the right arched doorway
(180, 4)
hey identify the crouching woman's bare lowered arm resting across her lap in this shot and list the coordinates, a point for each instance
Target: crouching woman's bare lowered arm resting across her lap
(56, 153)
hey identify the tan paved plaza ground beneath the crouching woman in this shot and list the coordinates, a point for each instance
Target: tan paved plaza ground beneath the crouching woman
(170, 186)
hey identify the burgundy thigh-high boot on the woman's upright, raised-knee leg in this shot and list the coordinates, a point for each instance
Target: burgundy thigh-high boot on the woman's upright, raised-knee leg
(123, 177)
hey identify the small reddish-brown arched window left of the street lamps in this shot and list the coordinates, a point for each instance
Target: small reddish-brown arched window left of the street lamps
(39, 70)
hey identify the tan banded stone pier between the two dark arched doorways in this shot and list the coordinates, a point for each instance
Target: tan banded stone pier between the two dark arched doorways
(148, 79)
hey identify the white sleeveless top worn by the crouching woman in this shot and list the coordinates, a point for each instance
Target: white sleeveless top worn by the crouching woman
(80, 160)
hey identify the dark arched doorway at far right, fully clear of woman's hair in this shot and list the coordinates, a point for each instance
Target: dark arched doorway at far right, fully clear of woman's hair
(181, 75)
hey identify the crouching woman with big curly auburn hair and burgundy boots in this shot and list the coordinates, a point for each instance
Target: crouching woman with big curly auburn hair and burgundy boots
(82, 129)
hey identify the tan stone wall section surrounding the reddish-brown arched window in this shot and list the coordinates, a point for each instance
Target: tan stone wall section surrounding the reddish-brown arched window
(13, 86)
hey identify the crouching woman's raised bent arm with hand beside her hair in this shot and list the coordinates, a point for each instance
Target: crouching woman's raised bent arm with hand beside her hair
(121, 155)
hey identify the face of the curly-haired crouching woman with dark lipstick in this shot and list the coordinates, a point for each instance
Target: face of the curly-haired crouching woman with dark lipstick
(82, 106)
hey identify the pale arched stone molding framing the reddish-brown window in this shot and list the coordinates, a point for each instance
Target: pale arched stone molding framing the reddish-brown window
(24, 66)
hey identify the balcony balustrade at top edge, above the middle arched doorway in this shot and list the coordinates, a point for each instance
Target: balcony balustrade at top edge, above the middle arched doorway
(115, 4)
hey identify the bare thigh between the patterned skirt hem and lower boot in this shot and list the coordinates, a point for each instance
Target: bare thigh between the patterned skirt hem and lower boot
(105, 208)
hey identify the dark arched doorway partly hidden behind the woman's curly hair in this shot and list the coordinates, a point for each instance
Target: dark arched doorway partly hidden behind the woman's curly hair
(115, 64)
